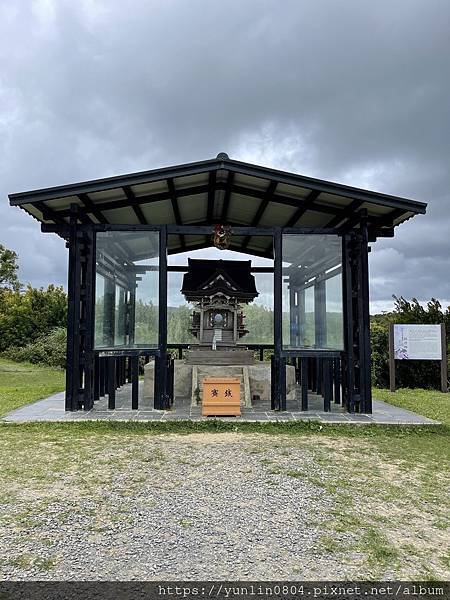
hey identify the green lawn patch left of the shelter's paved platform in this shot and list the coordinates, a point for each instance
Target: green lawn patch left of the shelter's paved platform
(22, 383)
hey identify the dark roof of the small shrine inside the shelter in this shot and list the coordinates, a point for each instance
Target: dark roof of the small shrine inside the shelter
(205, 277)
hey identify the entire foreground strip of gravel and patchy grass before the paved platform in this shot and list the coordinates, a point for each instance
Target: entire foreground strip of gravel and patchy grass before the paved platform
(107, 506)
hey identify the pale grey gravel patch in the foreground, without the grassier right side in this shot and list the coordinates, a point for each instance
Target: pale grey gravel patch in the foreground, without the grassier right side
(191, 507)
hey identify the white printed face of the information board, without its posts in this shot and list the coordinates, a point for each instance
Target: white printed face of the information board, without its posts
(417, 342)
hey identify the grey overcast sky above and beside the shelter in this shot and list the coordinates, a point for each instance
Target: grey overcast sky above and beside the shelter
(353, 91)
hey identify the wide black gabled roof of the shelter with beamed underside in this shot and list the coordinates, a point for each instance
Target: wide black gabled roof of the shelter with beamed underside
(220, 190)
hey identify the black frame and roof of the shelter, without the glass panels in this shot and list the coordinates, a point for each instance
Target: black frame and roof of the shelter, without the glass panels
(183, 204)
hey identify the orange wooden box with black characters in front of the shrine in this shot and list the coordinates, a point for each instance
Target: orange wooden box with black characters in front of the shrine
(221, 397)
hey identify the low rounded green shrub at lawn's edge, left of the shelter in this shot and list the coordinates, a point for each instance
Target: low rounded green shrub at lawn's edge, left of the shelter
(48, 349)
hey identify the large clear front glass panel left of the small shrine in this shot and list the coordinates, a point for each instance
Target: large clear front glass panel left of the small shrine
(127, 288)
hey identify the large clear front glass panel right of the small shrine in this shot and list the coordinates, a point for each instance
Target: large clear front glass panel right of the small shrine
(312, 292)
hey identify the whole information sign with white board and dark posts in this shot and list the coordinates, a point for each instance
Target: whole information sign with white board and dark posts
(417, 342)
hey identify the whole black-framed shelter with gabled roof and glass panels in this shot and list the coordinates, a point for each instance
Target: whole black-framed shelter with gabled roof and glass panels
(120, 231)
